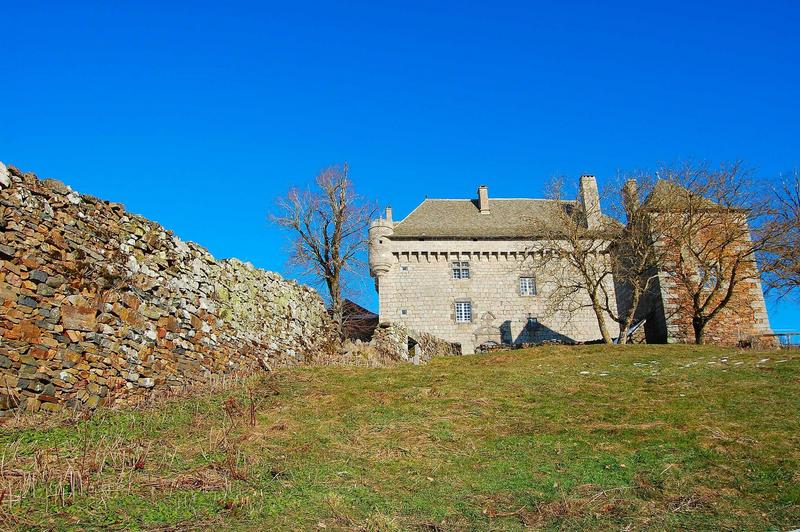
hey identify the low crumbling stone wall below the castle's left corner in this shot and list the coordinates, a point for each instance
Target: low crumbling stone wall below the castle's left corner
(392, 339)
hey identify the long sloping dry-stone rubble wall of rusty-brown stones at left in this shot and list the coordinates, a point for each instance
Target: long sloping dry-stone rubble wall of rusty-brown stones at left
(100, 306)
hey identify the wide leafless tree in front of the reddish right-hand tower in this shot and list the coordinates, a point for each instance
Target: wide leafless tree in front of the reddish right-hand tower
(706, 245)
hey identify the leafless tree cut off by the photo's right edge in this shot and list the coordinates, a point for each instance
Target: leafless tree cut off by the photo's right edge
(782, 257)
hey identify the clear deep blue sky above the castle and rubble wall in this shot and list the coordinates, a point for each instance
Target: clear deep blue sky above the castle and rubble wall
(198, 114)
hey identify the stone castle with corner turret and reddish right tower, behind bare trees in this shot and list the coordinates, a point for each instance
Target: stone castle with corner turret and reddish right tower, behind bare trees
(469, 272)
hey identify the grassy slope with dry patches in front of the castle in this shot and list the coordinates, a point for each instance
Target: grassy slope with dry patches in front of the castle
(650, 436)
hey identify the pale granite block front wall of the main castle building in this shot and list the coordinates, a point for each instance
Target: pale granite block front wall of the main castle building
(418, 290)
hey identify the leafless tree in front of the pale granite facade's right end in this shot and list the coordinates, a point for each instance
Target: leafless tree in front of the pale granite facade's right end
(575, 240)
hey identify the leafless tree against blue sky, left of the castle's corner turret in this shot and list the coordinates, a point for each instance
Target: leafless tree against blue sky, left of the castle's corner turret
(329, 231)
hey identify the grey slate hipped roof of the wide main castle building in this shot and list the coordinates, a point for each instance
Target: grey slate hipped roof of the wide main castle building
(447, 218)
